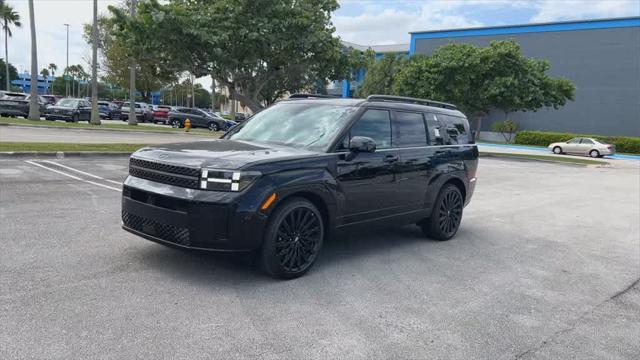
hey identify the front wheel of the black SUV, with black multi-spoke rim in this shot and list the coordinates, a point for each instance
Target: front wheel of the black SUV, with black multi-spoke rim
(292, 240)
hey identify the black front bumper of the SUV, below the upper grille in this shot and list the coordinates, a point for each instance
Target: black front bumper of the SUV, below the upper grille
(189, 218)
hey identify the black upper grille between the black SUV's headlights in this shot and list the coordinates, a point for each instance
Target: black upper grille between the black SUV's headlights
(164, 173)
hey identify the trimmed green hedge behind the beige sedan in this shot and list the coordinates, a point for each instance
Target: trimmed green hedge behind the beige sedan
(624, 144)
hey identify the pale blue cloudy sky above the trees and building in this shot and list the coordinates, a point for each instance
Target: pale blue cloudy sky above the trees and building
(365, 22)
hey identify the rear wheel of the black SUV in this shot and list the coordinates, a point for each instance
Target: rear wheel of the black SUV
(446, 215)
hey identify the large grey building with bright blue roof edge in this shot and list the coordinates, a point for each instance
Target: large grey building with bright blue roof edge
(601, 57)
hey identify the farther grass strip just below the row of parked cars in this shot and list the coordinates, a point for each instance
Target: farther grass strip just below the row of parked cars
(124, 126)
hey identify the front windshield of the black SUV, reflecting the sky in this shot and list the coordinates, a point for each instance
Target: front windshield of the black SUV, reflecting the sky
(311, 126)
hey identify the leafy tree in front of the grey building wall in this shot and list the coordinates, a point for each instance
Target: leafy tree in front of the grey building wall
(482, 79)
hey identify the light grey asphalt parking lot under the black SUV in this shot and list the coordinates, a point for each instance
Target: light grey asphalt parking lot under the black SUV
(545, 266)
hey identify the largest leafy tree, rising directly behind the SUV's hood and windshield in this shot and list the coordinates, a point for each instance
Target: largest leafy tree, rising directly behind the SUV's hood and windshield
(258, 49)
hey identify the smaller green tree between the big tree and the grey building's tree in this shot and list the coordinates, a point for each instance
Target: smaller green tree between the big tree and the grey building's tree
(381, 75)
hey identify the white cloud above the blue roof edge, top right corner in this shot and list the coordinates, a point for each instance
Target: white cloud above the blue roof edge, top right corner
(556, 10)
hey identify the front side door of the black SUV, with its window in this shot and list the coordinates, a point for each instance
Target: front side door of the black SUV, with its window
(367, 180)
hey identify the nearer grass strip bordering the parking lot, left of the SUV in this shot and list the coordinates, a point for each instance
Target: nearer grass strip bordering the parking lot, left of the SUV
(52, 147)
